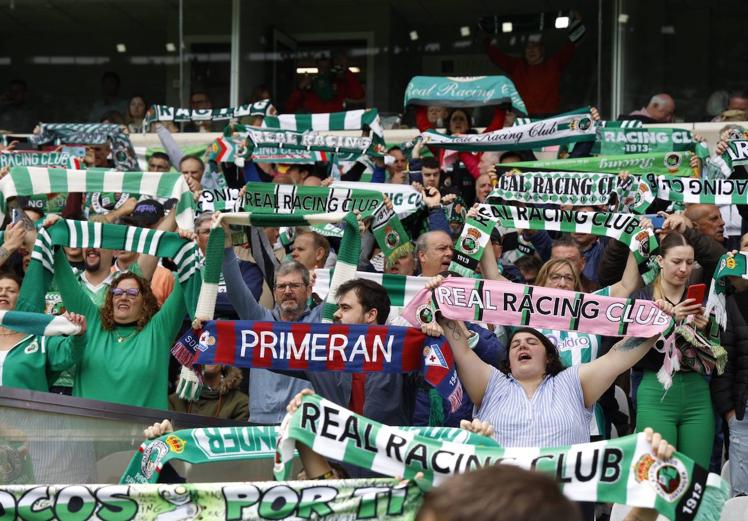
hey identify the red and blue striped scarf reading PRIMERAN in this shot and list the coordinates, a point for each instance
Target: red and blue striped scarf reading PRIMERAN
(351, 348)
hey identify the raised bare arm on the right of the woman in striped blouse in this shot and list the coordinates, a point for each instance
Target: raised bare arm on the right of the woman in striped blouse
(600, 374)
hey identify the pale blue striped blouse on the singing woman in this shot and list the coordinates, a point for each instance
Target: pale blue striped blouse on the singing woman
(554, 416)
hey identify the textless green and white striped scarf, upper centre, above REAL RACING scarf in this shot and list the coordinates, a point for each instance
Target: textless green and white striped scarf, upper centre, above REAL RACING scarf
(348, 120)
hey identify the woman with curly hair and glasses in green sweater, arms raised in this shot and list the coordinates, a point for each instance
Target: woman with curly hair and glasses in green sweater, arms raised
(129, 338)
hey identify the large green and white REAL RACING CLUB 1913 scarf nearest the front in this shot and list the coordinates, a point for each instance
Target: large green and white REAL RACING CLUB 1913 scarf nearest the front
(623, 470)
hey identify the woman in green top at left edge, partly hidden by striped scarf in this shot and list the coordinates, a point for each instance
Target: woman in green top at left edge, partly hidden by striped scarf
(30, 361)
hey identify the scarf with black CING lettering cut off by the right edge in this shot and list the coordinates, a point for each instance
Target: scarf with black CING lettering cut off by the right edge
(703, 191)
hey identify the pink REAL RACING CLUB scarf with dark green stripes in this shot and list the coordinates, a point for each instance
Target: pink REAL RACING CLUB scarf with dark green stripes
(509, 304)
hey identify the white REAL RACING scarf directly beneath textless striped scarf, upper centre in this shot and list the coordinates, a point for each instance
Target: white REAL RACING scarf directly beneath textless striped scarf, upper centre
(312, 141)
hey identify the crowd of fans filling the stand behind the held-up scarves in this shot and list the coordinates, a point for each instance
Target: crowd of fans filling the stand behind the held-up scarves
(531, 388)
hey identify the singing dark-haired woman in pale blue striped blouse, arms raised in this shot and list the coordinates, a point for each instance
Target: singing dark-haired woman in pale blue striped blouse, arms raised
(534, 401)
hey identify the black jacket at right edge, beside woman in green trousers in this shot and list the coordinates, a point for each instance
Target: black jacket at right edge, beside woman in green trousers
(730, 390)
